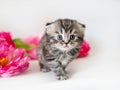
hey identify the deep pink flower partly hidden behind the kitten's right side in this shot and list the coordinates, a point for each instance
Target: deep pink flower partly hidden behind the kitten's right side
(84, 49)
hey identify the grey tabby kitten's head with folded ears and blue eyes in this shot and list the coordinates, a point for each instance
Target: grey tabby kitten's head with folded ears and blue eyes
(65, 34)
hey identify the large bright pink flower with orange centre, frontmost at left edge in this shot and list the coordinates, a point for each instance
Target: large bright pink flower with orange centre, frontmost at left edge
(14, 63)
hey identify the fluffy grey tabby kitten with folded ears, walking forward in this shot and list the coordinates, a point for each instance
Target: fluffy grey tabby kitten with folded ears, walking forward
(60, 45)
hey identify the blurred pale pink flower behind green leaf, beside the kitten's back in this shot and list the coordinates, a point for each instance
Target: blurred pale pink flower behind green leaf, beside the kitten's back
(33, 41)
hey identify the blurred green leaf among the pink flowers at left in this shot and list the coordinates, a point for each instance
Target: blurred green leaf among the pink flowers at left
(20, 44)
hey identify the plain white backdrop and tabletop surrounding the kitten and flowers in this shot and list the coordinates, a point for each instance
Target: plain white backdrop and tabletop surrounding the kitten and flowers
(99, 71)
